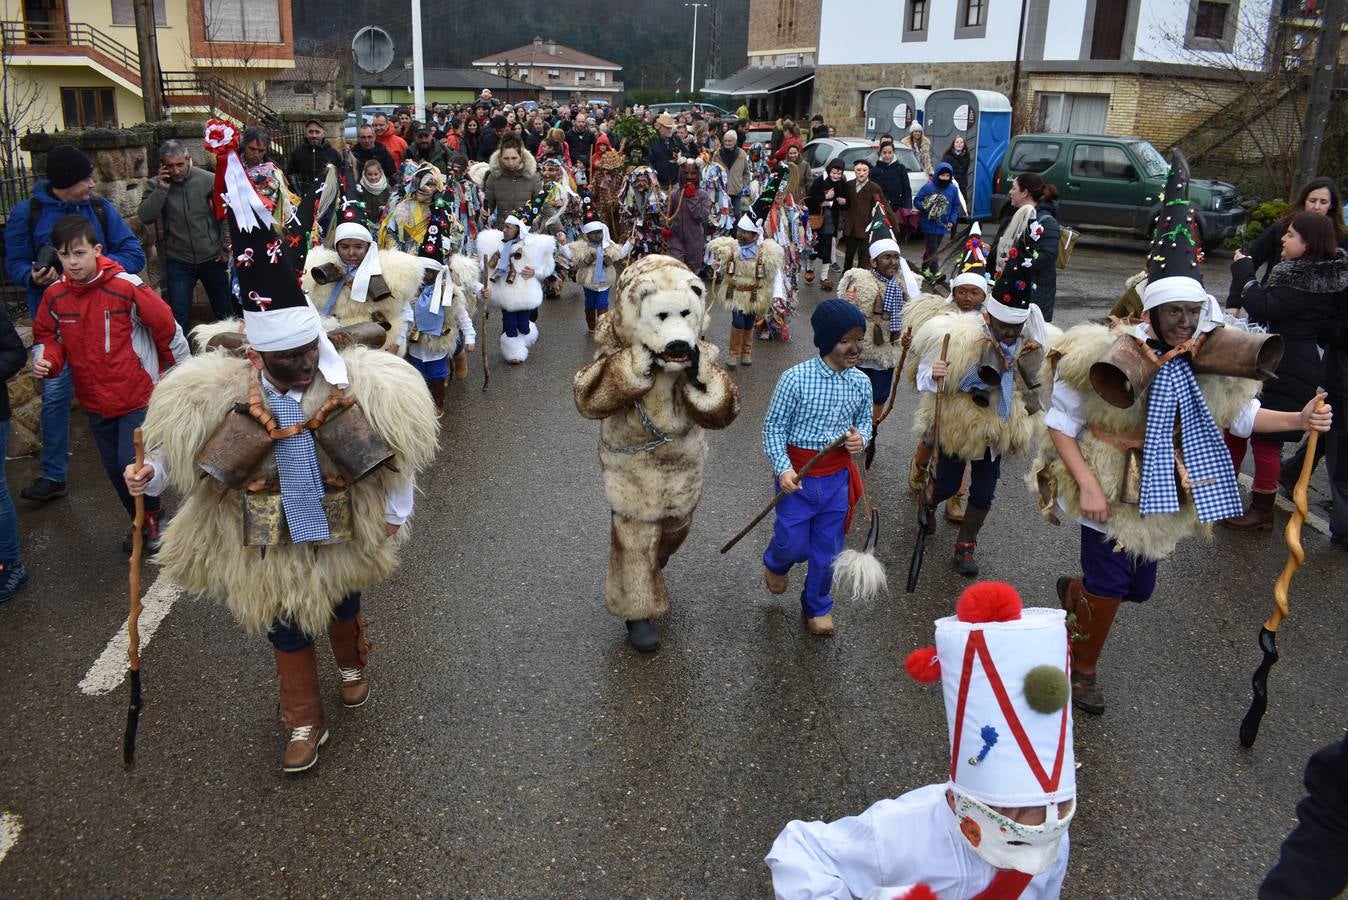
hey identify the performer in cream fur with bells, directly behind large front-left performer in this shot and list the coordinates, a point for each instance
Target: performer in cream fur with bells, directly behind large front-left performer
(357, 282)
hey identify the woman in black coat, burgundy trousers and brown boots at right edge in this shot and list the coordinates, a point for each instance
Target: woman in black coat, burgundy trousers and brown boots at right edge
(1300, 301)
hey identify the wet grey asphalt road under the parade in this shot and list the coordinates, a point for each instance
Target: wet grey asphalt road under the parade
(514, 744)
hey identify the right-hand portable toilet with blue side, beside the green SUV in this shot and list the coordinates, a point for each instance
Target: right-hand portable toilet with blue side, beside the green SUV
(983, 118)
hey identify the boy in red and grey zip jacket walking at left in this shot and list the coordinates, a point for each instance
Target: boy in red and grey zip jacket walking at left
(118, 336)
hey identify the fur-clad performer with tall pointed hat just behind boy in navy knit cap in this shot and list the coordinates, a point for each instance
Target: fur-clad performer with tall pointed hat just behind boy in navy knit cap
(881, 293)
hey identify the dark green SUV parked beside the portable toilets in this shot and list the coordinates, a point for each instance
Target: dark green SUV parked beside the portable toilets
(1114, 183)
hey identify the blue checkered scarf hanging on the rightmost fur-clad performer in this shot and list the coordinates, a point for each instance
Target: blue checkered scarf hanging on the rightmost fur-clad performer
(1213, 480)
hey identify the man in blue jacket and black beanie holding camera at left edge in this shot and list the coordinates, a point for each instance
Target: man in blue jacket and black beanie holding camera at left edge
(68, 191)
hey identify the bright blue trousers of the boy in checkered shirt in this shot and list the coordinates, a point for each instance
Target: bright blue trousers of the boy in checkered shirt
(809, 530)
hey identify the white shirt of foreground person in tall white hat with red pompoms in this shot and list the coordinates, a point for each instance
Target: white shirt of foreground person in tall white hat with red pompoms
(909, 840)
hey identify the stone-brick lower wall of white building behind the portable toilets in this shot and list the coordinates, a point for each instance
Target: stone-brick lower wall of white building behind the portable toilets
(839, 91)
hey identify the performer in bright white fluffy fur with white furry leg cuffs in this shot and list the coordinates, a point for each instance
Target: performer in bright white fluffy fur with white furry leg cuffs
(516, 262)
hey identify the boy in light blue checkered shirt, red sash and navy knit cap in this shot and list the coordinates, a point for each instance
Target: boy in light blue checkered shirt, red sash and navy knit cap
(815, 404)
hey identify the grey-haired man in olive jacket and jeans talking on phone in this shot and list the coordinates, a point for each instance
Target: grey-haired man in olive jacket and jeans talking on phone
(179, 197)
